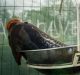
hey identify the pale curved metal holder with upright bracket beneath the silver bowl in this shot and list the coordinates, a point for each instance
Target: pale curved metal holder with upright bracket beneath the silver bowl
(54, 66)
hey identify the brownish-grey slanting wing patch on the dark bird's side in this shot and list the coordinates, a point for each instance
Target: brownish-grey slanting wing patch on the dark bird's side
(26, 39)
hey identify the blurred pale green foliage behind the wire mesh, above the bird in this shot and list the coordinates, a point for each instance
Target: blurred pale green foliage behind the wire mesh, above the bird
(49, 20)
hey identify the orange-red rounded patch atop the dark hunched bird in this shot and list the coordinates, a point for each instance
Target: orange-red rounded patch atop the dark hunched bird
(12, 22)
